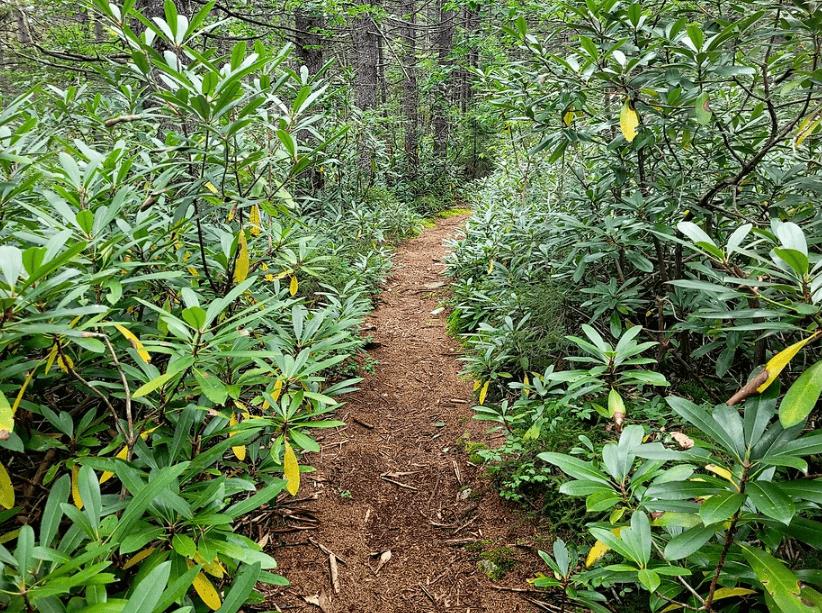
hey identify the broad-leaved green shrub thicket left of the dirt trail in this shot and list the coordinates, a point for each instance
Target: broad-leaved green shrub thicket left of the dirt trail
(189, 243)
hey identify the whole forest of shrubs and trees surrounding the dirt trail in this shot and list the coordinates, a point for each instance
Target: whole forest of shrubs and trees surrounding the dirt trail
(197, 203)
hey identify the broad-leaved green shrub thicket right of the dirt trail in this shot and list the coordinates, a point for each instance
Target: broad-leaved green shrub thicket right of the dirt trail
(638, 291)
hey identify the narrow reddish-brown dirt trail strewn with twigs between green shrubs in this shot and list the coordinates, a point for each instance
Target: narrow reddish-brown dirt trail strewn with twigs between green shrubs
(397, 478)
